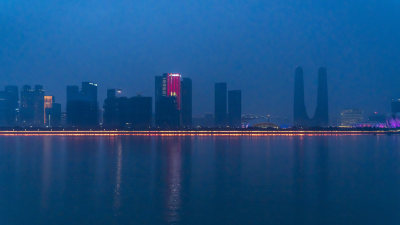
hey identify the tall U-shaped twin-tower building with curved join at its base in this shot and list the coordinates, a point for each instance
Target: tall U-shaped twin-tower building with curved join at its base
(321, 115)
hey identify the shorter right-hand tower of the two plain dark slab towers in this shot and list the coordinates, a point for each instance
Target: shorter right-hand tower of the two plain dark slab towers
(235, 108)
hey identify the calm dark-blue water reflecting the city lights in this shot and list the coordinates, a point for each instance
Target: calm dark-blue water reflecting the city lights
(200, 180)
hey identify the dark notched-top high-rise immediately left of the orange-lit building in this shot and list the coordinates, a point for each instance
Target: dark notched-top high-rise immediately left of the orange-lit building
(32, 106)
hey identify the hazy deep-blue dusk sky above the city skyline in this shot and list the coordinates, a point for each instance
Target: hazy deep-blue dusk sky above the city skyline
(253, 45)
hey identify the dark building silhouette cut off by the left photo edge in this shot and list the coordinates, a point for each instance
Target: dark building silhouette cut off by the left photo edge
(9, 106)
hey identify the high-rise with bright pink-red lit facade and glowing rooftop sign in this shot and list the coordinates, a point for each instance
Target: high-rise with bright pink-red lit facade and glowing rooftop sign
(168, 100)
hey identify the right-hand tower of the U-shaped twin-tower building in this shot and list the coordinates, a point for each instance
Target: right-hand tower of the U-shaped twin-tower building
(321, 117)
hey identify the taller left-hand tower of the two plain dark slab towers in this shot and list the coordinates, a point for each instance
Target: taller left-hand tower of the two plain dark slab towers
(220, 104)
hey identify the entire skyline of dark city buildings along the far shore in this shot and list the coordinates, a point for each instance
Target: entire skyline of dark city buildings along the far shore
(31, 107)
